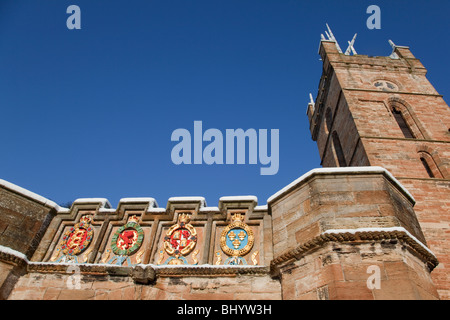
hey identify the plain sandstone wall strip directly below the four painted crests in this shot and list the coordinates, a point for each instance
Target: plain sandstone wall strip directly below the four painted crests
(45, 282)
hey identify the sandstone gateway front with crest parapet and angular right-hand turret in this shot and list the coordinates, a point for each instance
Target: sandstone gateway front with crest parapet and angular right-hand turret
(316, 239)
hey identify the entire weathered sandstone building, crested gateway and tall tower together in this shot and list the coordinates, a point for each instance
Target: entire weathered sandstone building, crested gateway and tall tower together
(319, 238)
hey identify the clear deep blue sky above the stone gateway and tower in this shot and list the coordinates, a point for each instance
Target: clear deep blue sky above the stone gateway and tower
(90, 112)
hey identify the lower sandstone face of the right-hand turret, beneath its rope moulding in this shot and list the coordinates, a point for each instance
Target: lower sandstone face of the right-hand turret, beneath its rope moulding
(340, 271)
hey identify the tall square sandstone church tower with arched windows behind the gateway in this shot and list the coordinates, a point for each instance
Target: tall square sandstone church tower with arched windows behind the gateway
(382, 111)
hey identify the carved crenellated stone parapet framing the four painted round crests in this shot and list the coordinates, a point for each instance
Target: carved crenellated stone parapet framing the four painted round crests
(156, 225)
